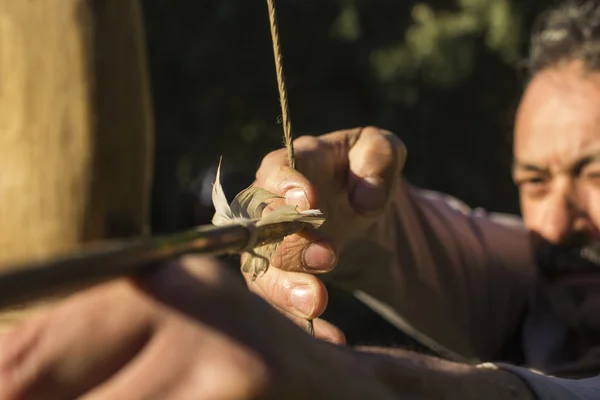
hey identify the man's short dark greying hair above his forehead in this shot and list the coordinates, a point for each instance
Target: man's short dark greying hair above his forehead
(568, 32)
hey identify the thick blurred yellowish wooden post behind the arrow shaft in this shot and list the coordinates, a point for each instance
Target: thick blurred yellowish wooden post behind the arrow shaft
(75, 126)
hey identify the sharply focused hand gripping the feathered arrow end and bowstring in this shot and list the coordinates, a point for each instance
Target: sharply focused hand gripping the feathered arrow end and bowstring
(351, 176)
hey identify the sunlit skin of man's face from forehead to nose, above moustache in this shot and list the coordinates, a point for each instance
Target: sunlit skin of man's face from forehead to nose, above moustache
(557, 154)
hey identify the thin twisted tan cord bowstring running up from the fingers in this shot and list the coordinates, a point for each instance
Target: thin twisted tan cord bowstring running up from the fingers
(285, 114)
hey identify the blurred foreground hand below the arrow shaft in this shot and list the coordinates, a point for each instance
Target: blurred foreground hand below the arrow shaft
(190, 331)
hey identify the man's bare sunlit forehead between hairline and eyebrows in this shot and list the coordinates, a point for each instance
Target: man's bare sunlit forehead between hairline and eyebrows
(558, 121)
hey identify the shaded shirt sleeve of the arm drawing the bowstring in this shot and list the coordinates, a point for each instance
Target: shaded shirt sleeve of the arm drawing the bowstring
(461, 277)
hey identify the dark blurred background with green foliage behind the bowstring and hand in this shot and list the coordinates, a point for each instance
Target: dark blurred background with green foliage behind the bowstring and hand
(445, 75)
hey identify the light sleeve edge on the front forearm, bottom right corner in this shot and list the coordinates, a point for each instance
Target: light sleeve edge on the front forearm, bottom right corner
(551, 388)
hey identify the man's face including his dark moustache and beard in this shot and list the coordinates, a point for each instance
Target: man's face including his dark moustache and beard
(557, 170)
